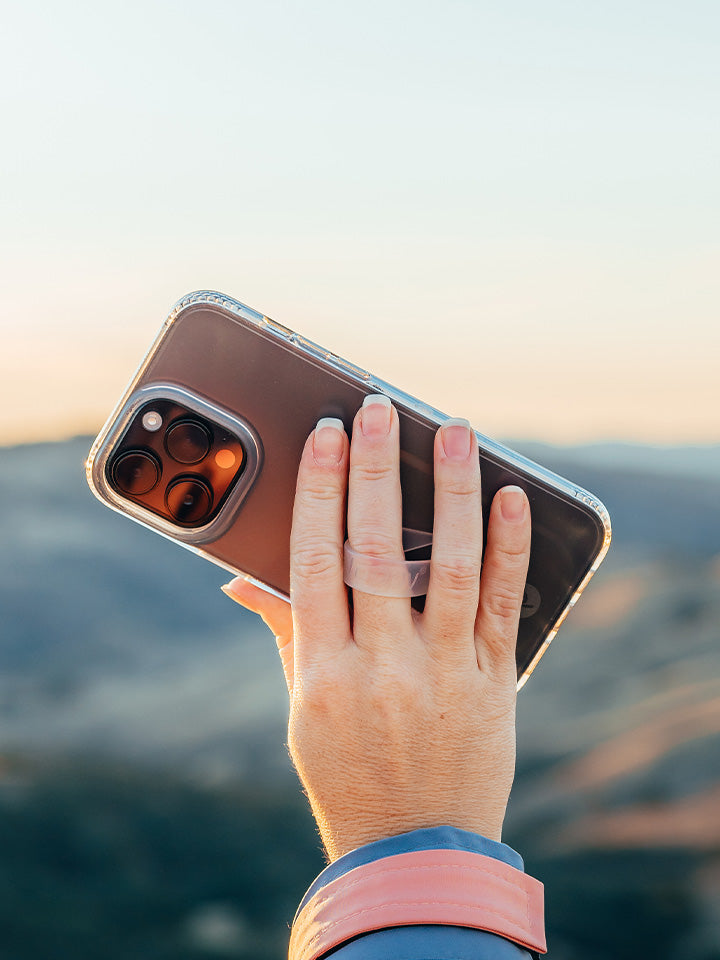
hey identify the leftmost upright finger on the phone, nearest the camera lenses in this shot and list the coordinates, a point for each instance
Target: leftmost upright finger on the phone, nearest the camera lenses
(317, 590)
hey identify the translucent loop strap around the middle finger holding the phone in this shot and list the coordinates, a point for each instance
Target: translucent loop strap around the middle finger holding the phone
(385, 577)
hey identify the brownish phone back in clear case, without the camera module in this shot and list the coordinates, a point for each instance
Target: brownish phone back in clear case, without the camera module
(281, 385)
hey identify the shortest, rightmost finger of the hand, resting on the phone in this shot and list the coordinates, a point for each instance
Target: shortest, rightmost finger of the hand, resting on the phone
(502, 582)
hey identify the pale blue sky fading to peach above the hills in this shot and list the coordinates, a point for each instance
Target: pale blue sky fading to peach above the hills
(509, 210)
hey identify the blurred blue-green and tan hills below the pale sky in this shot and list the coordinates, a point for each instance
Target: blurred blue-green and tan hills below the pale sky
(125, 674)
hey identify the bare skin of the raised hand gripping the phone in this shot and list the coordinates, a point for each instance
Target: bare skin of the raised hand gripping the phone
(399, 720)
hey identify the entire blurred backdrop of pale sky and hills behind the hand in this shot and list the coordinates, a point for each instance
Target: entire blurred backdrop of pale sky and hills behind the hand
(509, 211)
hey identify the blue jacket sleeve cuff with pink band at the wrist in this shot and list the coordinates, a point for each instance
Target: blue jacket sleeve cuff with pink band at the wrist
(434, 894)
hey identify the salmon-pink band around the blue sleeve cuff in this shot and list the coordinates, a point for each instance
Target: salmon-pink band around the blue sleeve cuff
(451, 887)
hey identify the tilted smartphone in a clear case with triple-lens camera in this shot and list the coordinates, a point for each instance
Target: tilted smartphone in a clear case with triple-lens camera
(204, 447)
